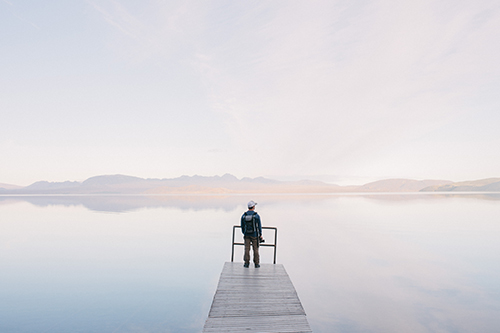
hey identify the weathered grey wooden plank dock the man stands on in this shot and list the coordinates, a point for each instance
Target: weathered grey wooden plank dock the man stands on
(256, 300)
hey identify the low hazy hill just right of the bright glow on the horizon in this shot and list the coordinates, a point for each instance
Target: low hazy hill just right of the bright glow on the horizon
(400, 185)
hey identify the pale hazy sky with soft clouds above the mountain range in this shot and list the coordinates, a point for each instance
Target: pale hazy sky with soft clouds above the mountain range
(341, 91)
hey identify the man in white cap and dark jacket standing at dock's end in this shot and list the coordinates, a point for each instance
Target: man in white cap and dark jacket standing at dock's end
(252, 231)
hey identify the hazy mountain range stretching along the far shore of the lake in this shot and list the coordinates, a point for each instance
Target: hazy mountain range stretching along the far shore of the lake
(229, 184)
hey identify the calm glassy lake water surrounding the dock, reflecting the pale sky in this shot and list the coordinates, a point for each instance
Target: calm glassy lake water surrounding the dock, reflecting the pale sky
(381, 263)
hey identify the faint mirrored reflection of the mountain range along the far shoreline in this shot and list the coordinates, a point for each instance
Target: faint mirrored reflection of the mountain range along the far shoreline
(127, 203)
